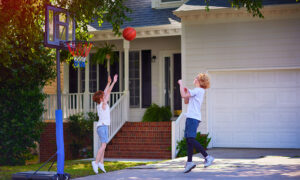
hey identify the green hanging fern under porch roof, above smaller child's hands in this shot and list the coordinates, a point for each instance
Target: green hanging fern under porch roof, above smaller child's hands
(106, 52)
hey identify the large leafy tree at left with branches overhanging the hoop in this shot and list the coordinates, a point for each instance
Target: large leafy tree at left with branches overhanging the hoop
(26, 65)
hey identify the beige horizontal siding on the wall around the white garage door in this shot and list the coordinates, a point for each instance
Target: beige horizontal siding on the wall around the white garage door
(260, 44)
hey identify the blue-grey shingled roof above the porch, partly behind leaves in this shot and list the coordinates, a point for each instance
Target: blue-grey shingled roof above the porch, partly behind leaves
(143, 15)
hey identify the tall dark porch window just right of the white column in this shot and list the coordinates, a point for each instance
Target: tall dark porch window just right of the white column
(134, 78)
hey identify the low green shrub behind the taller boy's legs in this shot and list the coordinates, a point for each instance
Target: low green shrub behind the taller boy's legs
(204, 140)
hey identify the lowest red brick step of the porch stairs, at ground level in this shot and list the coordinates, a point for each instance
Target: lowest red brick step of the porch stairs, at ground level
(129, 154)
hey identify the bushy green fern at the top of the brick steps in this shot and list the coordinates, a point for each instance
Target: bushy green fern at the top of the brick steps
(154, 113)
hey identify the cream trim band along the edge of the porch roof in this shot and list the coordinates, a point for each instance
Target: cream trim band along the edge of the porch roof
(141, 32)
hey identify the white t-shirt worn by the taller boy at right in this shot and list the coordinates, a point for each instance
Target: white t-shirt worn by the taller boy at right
(195, 102)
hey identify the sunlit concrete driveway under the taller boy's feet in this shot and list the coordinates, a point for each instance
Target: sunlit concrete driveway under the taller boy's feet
(229, 164)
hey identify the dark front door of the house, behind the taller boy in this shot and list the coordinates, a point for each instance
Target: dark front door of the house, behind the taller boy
(176, 77)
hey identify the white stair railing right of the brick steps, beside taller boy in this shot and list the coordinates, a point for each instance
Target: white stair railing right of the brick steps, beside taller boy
(177, 133)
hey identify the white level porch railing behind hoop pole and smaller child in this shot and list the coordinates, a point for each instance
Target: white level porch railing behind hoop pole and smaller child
(73, 103)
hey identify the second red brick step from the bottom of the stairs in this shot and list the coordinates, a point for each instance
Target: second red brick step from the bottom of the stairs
(141, 147)
